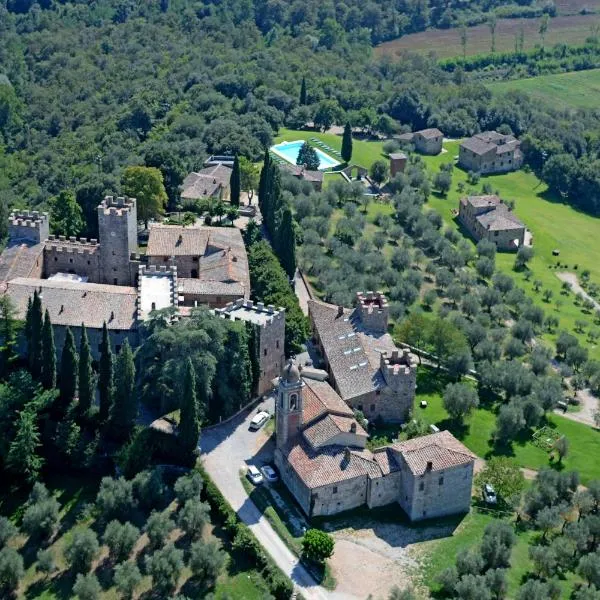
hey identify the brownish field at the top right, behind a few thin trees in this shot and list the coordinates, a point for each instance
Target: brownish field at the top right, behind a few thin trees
(445, 43)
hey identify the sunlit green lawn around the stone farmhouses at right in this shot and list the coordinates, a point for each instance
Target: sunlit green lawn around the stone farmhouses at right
(554, 225)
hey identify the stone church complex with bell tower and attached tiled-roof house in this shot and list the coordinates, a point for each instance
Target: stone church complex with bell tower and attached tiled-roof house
(322, 458)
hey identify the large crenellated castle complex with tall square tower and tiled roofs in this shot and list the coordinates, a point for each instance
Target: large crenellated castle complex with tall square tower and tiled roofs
(92, 282)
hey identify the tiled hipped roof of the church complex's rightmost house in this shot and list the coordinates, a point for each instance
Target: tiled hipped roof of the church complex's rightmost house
(440, 449)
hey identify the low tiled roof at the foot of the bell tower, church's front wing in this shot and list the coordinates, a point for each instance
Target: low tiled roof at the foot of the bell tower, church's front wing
(331, 464)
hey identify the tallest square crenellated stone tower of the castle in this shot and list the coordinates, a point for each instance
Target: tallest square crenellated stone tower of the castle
(117, 226)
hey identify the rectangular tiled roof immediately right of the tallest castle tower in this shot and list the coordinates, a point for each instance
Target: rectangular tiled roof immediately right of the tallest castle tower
(177, 240)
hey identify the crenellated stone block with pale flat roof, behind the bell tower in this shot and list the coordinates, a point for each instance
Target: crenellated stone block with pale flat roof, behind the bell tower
(270, 325)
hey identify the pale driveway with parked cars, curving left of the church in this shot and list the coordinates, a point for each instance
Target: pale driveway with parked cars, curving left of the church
(225, 450)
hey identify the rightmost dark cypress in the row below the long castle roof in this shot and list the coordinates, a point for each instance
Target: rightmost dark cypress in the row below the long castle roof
(124, 409)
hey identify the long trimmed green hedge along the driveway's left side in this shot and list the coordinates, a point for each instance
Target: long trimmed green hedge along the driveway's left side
(244, 540)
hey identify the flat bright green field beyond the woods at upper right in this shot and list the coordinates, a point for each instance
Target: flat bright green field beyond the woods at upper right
(563, 90)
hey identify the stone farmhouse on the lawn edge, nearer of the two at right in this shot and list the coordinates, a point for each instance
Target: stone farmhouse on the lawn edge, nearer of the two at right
(488, 218)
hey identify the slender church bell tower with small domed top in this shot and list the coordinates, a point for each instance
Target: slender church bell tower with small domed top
(288, 407)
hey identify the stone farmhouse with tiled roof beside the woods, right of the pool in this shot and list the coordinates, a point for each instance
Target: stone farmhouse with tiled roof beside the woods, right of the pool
(490, 152)
